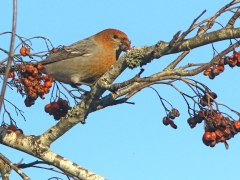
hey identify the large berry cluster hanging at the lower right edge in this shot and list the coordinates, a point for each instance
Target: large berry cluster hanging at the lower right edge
(217, 127)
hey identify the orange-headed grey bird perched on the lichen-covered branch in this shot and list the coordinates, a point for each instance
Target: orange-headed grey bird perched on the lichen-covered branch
(85, 61)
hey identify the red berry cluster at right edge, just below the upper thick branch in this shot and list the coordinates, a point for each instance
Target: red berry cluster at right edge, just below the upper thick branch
(232, 61)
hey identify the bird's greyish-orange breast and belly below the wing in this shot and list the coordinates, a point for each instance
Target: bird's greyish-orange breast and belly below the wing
(86, 69)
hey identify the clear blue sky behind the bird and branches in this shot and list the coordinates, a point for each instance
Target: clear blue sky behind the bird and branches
(127, 141)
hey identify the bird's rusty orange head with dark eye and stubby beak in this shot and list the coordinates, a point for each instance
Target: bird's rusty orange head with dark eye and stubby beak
(113, 39)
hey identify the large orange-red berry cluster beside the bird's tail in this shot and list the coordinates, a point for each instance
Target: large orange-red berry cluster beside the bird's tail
(34, 83)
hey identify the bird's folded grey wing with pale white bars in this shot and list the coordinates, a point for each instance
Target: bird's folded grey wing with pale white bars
(85, 47)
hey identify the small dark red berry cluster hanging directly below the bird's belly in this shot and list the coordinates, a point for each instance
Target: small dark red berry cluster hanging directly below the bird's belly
(57, 109)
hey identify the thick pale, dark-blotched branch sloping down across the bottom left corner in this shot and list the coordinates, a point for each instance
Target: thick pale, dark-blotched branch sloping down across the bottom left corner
(32, 145)
